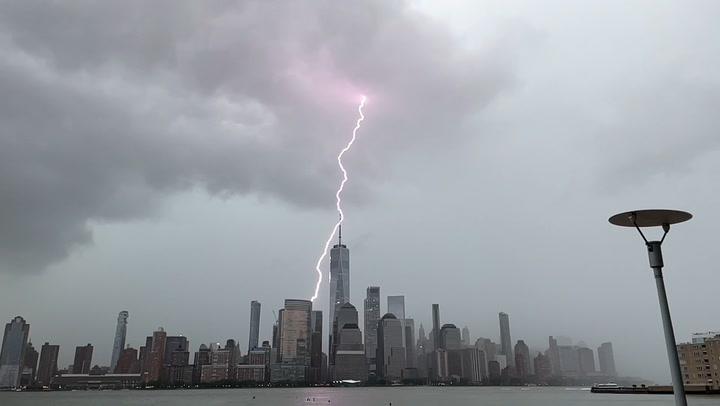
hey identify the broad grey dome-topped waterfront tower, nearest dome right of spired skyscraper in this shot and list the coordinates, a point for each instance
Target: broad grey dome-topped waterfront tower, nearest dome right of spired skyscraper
(391, 353)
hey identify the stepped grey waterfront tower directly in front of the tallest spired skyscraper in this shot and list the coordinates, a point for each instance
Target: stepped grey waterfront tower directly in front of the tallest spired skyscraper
(350, 360)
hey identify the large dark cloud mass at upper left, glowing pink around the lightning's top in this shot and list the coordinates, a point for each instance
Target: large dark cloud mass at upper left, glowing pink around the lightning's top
(107, 108)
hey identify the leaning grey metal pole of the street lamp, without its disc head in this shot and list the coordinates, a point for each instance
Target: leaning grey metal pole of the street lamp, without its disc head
(656, 262)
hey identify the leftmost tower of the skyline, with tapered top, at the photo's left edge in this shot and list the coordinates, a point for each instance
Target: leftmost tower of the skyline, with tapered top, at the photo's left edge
(12, 354)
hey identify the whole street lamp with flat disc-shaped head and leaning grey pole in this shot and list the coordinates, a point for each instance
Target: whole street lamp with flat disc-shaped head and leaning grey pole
(659, 218)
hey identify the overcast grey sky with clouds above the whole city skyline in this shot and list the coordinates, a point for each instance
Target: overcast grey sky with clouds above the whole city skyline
(176, 159)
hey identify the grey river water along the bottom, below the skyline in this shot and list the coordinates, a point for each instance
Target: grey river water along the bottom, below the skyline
(398, 396)
